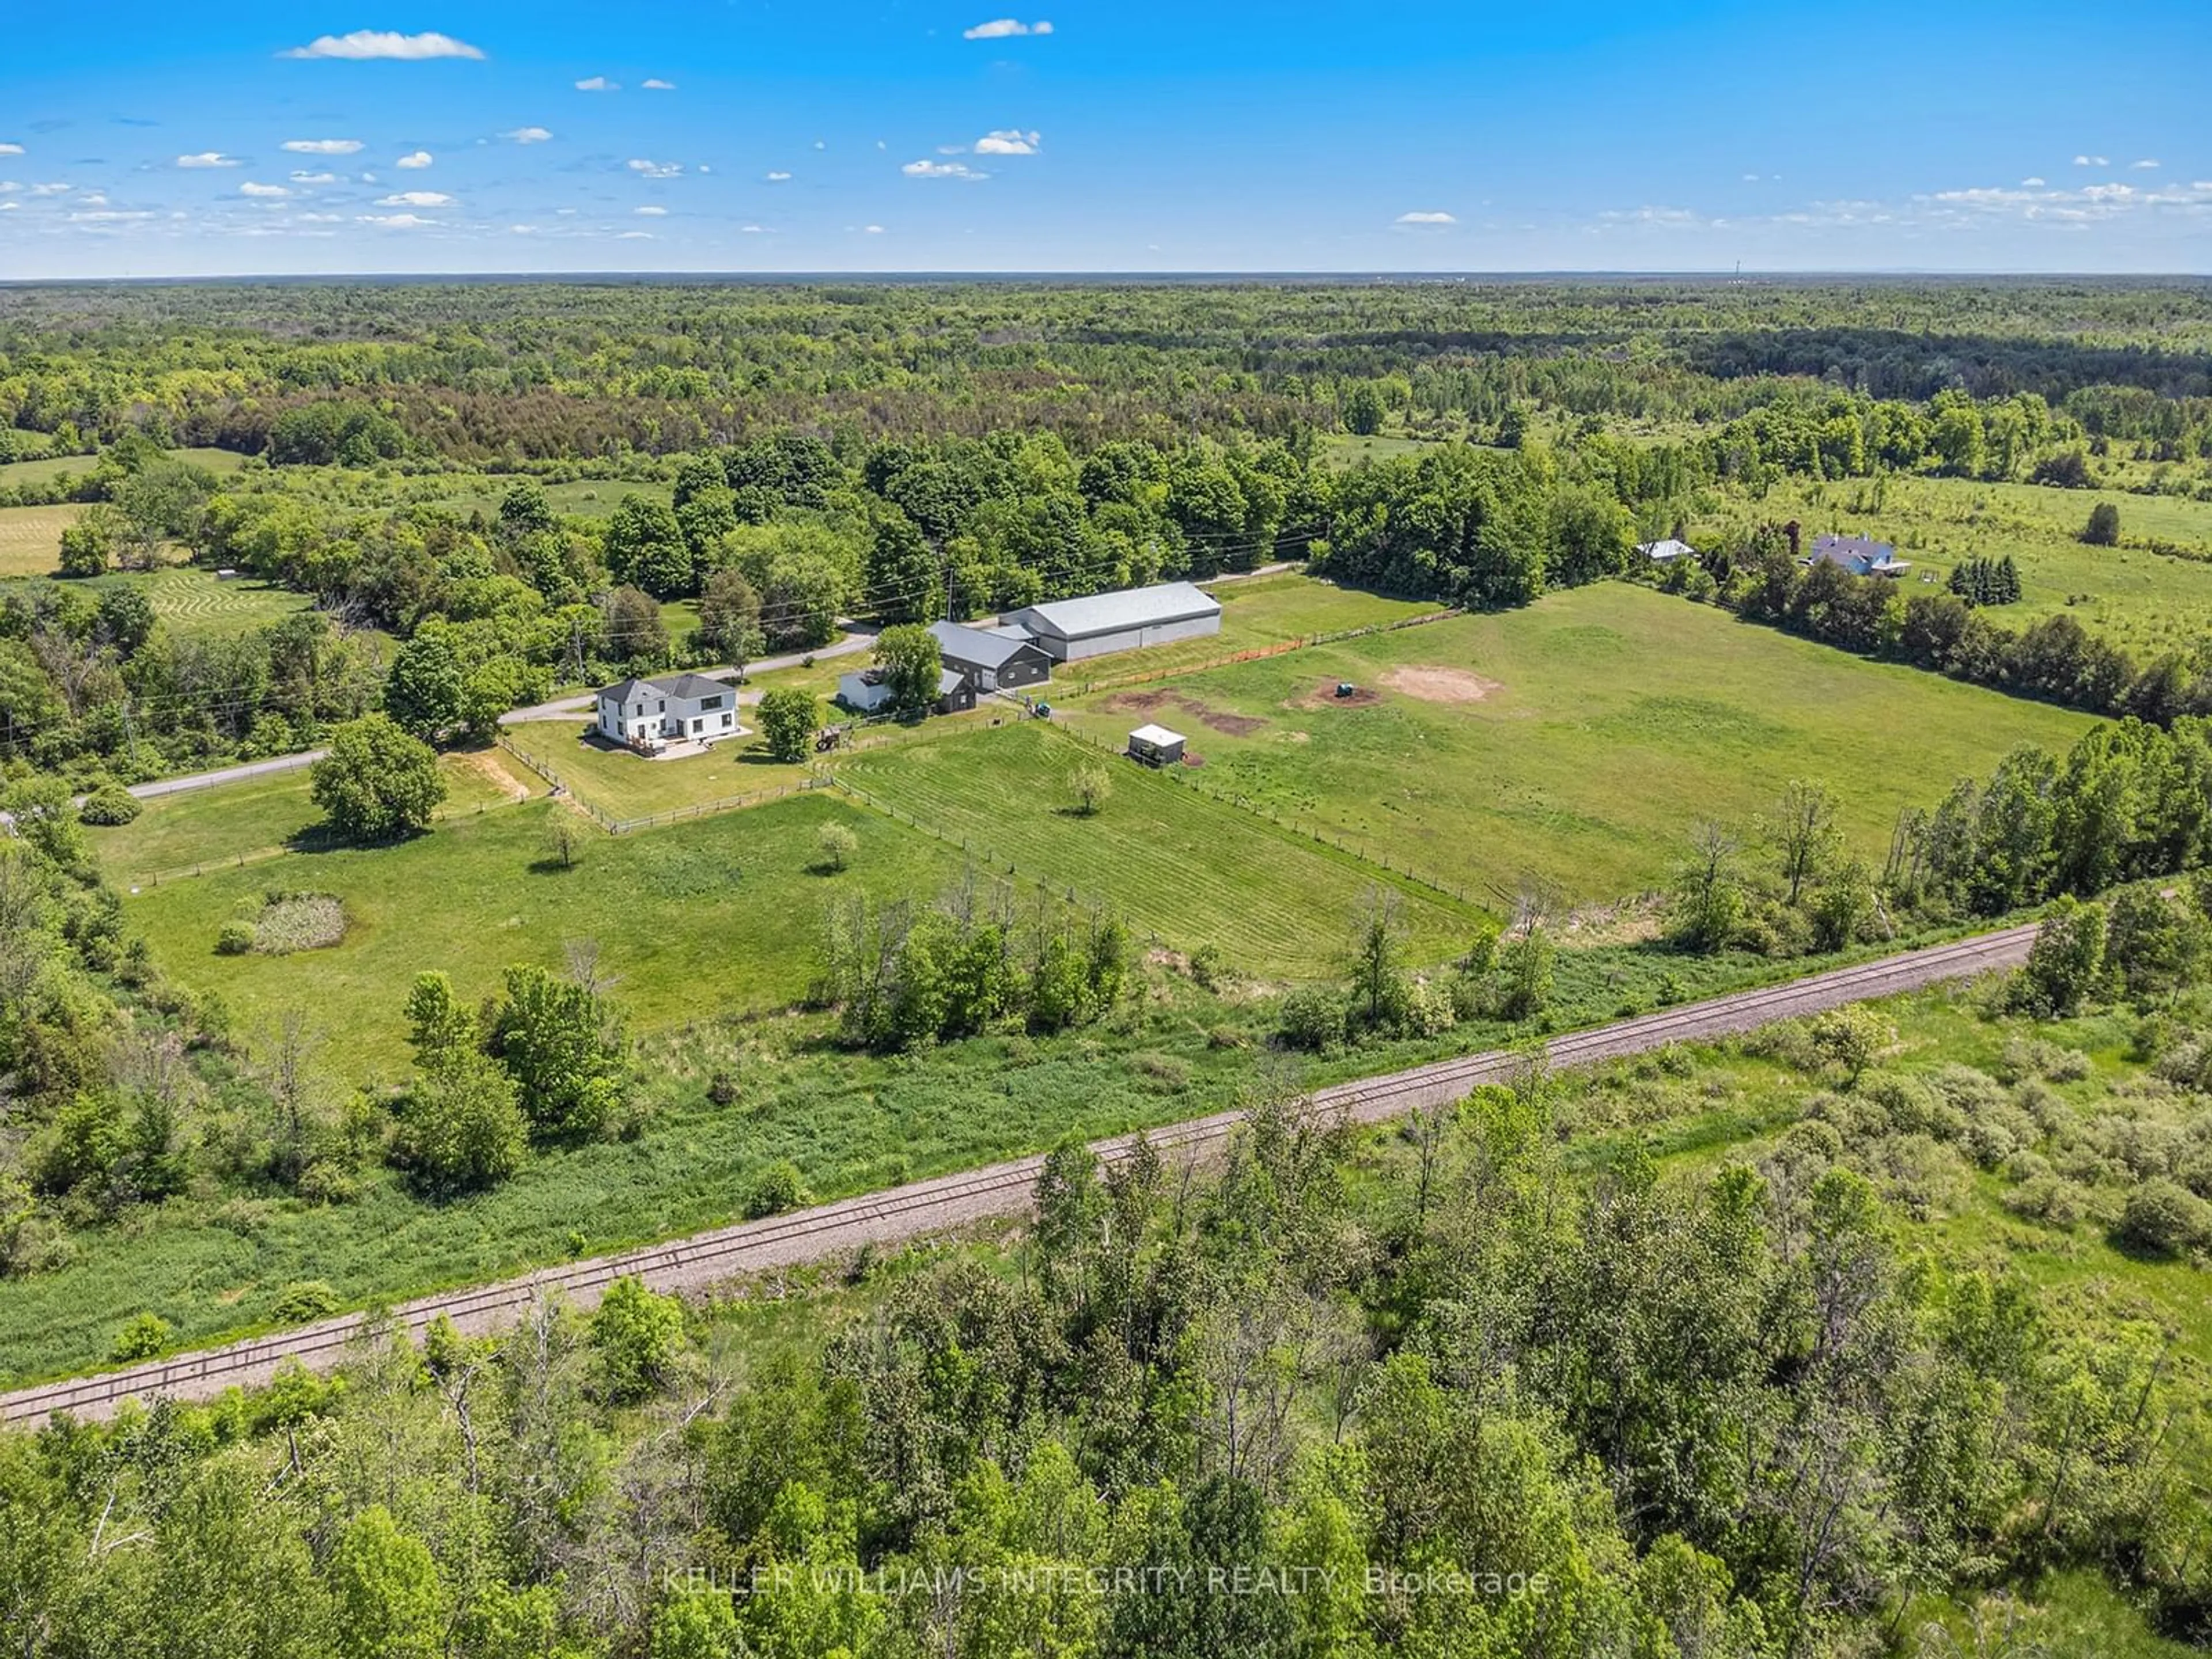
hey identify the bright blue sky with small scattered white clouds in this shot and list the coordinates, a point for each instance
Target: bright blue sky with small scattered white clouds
(477, 136)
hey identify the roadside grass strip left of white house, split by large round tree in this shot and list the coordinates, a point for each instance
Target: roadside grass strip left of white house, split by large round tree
(249, 822)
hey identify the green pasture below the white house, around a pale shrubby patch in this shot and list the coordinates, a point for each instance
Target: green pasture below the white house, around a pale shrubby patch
(696, 921)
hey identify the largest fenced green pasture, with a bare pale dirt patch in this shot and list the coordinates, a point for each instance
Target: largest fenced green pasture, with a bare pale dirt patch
(1580, 740)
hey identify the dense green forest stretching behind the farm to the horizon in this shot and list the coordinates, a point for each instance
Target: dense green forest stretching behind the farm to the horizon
(901, 452)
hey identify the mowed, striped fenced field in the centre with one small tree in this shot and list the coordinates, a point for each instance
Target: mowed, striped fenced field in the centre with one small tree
(1178, 866)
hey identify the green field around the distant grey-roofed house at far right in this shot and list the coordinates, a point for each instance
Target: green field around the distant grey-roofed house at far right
(2147, 603)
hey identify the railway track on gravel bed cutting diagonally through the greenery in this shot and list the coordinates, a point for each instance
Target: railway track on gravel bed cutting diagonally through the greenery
(990, 1193)
